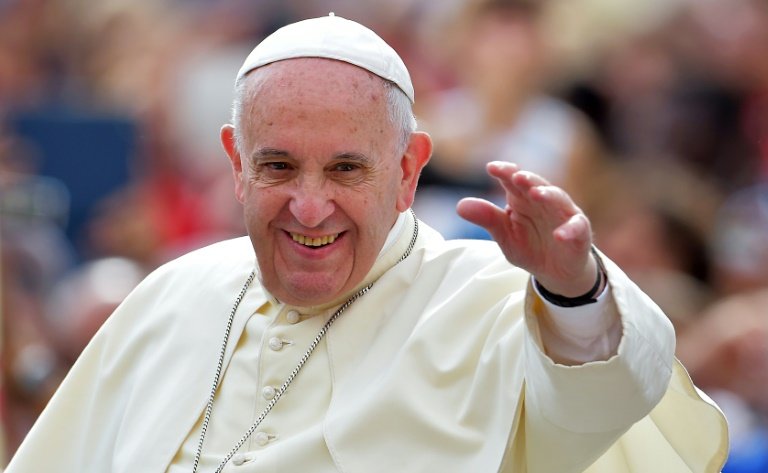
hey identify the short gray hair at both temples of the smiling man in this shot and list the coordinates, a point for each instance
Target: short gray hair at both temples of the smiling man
(398, 104)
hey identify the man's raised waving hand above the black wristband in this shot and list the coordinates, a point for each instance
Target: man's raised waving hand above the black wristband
(540, 230)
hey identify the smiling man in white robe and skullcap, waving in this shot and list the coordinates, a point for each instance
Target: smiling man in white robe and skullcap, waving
(359, 340)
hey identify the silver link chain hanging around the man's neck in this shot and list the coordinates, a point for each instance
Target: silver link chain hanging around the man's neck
(279, 393)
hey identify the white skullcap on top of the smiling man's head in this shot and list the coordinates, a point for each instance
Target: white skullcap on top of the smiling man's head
(331, 37)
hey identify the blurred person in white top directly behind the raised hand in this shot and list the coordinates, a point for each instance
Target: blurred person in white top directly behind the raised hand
(500, 110)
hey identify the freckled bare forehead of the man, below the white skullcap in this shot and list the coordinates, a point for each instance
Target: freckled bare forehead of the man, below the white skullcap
(297, 99)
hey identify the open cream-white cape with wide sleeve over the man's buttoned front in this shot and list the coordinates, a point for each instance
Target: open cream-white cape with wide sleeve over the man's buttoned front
(438, 368)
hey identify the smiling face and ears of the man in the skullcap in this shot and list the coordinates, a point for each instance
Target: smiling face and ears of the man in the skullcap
(320, 175)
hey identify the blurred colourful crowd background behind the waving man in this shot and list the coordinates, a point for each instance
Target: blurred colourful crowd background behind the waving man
(653, 115)
